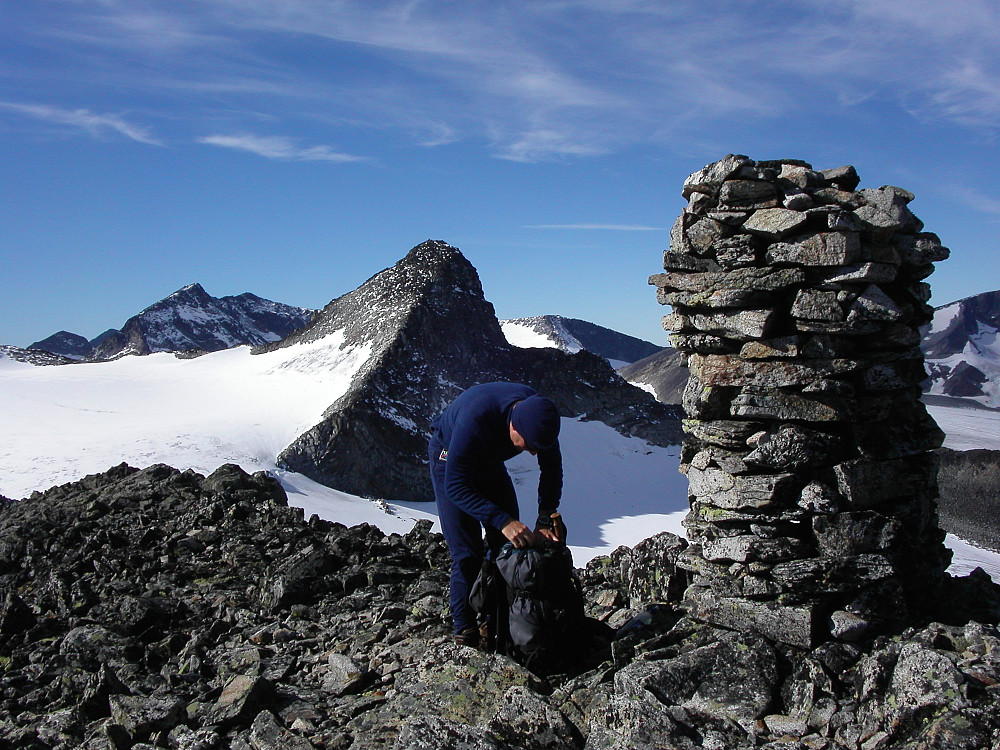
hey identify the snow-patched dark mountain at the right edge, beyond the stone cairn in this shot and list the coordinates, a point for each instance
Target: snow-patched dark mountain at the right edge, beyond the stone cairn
(962, 350)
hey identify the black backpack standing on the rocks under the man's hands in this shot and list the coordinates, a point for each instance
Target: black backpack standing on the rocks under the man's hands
(536, 604)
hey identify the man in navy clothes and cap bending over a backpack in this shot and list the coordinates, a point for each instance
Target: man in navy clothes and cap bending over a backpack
(485, 426)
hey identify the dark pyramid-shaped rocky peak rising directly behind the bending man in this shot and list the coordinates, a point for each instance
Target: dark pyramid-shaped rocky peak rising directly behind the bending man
(431, 334)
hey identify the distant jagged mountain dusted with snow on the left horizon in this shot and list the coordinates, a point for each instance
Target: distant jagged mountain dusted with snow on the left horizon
(188, 320)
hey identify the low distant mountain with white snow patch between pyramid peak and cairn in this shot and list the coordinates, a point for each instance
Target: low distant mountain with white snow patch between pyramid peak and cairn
(572, 335)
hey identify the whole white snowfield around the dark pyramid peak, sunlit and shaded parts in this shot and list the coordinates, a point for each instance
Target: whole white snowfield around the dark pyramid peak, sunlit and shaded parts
(62, 423)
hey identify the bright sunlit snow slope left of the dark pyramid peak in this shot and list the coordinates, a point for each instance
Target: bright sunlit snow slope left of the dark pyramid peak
(62, 423)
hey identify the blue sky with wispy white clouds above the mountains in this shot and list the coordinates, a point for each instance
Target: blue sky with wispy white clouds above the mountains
(293, 148)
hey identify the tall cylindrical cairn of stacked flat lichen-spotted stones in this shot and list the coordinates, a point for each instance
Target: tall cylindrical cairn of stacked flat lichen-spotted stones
(797, 300)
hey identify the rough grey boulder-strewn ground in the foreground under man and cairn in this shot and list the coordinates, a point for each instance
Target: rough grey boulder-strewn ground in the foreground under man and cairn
(159, 608)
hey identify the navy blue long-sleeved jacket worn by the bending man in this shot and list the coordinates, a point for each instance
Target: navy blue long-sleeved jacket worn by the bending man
(474, 430)
